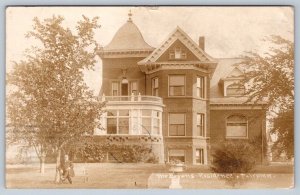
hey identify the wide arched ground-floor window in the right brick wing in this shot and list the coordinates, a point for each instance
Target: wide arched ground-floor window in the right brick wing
(236, 127)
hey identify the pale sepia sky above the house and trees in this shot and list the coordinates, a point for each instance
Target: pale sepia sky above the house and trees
(228, 31)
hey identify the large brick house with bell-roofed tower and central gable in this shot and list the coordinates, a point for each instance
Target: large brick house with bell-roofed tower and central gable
(175, 98)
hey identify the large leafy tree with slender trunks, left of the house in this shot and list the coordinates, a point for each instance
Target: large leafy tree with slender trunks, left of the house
(50, 106)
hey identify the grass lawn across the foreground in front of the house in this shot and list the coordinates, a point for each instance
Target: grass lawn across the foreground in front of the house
(116, 175)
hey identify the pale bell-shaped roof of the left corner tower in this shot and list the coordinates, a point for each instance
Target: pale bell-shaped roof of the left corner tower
(128, 38)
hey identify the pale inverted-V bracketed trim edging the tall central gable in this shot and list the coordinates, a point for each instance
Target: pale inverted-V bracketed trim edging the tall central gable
(178, 34)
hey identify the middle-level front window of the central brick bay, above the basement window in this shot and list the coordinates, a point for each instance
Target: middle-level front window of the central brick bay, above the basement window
(176, 124)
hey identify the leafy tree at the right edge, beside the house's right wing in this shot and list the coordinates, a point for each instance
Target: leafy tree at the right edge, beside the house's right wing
(271, 75)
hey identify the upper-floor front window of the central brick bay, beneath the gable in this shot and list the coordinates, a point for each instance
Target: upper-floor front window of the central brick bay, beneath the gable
(176, 85)
